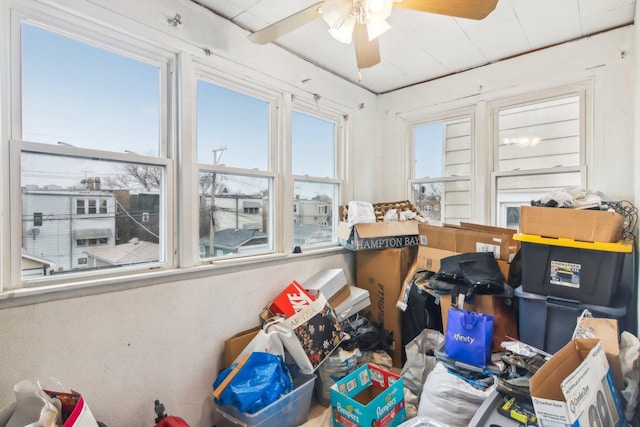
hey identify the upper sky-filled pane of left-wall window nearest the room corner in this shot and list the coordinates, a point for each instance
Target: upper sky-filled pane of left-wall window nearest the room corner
(312, 146)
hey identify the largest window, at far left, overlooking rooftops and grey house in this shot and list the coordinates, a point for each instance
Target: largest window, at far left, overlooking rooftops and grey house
(89, 139)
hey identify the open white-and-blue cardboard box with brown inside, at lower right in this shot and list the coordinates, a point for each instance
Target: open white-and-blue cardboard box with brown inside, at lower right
(576, 388)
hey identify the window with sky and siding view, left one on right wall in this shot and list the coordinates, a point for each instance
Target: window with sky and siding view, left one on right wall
(442, 165)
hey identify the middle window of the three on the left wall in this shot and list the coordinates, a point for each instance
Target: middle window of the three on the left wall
(236, 182)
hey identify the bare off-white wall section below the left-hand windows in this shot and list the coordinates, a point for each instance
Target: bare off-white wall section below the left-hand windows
(125, 349)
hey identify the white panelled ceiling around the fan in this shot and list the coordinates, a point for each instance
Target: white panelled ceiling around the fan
(423, 46)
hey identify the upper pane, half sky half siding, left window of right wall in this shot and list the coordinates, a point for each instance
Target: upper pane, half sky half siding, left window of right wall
(443, 149)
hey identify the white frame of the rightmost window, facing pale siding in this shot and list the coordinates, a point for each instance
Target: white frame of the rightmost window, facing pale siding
(582, 89)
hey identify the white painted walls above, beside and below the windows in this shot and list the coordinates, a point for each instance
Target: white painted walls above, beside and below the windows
(126, 348)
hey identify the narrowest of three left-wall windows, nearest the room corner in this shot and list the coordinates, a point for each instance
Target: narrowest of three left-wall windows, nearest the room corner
(315, 142)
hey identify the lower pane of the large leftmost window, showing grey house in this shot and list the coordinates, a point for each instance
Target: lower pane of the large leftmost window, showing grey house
(60, 187)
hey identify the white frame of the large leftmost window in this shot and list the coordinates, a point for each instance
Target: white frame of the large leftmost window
(118, 42)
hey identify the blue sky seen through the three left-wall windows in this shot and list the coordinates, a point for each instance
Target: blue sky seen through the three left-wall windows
(97, 99)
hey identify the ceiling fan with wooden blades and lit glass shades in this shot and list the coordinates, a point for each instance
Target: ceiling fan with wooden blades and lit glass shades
(363, 21)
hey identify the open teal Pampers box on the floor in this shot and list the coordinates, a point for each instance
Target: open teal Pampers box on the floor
(369, 396)
